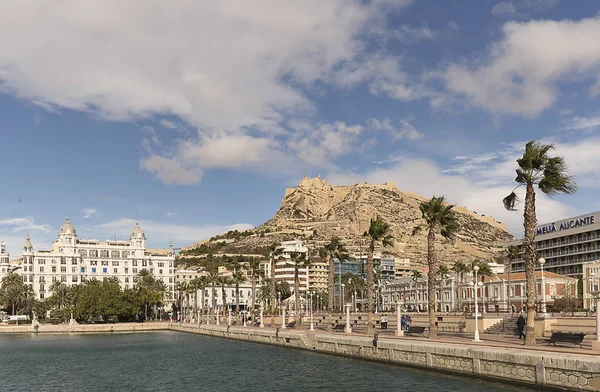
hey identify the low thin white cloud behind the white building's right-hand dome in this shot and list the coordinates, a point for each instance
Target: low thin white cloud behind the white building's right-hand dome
(159, 233)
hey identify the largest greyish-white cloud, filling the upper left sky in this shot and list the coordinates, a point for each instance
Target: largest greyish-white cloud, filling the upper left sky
(235, 71)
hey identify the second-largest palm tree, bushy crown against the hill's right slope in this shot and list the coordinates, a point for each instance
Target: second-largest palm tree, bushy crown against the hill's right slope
(439, 217)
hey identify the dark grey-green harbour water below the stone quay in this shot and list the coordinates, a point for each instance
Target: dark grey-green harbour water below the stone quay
(172, 361)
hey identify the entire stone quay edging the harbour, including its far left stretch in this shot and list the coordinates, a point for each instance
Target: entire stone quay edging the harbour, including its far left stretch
(547, 368)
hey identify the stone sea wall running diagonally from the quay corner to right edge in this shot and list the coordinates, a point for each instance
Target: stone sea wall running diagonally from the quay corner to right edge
(543, 368)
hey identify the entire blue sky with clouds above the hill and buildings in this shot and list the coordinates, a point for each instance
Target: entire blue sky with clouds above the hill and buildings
(193, 117)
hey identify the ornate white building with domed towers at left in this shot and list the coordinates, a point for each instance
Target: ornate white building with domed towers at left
(73, 260)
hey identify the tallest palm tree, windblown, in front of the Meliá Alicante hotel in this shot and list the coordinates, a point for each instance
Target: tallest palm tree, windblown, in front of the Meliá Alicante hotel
(536, 168)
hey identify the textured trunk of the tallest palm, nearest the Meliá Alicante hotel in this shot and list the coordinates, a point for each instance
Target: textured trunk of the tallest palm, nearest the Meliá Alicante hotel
(529, 223)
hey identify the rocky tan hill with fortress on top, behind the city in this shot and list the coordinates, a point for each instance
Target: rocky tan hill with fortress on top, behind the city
(316, 210)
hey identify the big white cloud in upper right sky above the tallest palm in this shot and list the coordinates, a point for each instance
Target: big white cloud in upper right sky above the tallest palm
(520, 73)
